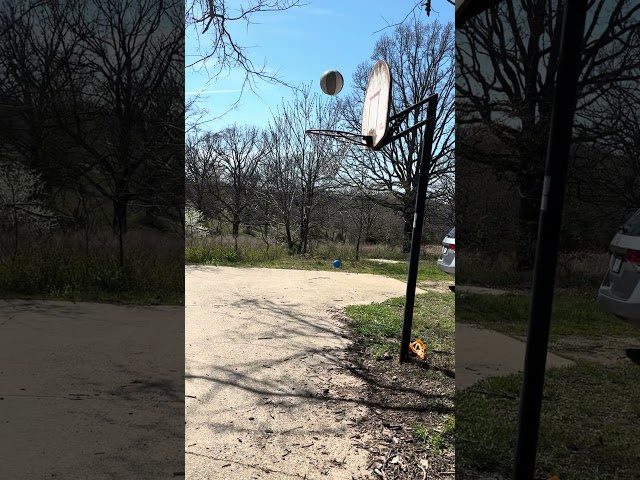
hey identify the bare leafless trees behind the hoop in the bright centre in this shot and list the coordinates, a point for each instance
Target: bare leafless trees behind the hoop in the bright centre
(290, 188)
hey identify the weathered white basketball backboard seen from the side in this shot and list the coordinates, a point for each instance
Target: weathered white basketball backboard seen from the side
(377, 102)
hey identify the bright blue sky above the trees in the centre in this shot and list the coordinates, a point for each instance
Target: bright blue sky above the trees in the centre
(300, 44)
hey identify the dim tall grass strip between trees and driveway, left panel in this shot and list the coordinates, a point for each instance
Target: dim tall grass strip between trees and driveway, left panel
(67, 267)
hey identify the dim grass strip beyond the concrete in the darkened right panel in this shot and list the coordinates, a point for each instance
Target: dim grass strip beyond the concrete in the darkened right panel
(573, 314)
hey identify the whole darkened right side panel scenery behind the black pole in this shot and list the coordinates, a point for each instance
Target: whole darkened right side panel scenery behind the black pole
(507, 59)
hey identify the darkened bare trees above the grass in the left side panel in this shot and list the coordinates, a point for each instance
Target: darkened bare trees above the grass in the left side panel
(91, 120)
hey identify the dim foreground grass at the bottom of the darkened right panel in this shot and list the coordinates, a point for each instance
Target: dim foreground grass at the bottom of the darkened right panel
(590, 424)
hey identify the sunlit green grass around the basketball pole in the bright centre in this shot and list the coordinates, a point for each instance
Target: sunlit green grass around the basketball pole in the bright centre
(379, 325)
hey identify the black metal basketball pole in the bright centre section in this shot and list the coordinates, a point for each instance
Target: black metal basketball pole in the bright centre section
(418, 220)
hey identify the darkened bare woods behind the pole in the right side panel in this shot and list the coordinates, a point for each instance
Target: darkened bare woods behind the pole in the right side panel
(507, 58)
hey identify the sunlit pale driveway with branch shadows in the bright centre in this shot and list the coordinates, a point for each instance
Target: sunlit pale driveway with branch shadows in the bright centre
(264, 365)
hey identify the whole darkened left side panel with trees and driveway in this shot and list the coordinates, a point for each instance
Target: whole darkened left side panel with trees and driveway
(91, 239)
